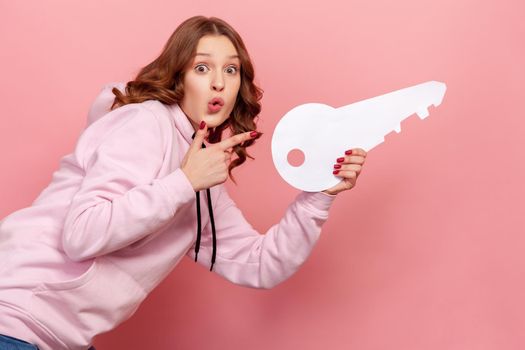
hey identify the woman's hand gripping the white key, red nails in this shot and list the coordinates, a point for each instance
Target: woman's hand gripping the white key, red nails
(348, 167)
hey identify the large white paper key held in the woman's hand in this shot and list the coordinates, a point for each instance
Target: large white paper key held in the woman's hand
(323, 133)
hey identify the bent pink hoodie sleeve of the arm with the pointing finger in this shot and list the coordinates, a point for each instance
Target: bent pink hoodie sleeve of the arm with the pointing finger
(120, 199)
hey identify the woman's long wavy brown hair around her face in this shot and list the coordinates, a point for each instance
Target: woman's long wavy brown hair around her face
(162, 80)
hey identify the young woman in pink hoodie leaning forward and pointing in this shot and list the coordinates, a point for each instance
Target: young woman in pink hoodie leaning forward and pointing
(125, 207)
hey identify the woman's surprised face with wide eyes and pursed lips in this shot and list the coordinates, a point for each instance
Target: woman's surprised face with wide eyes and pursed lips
(214, 75)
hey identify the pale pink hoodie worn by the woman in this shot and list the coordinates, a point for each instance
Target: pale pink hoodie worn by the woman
(117, 217)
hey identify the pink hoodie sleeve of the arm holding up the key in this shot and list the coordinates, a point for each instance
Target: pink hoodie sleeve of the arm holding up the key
(248, 258)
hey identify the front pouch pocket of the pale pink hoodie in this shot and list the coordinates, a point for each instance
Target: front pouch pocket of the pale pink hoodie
(95, 302)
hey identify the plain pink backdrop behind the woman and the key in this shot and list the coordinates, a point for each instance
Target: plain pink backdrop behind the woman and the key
(425, 253)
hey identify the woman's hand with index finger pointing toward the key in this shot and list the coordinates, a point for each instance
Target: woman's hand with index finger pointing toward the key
(207, 167)
